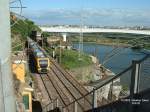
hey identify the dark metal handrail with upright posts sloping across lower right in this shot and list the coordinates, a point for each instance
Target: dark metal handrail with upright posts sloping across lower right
(111, 80)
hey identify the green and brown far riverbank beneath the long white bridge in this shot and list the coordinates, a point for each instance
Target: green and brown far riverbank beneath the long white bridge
(114, 39)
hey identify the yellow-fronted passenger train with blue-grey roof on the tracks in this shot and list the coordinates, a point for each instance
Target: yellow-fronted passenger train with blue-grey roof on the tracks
(41, 61)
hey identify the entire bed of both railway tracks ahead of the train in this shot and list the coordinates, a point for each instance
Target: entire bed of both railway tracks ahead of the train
(60, 85)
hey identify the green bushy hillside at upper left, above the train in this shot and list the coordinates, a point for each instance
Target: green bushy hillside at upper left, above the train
(19, 32)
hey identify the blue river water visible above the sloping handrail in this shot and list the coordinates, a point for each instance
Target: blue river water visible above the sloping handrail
(118, 62)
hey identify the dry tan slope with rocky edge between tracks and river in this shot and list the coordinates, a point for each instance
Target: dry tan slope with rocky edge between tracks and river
(94, 72)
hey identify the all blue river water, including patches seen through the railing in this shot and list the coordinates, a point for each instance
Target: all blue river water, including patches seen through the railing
(119, 62)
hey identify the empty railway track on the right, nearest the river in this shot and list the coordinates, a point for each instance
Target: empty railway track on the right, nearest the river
(72, 86)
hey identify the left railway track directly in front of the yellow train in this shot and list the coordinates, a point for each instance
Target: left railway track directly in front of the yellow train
(54, 91)
